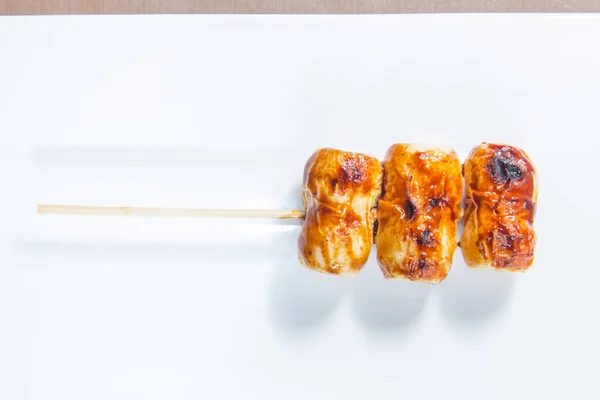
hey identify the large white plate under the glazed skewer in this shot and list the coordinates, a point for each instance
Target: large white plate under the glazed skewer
(222, 111)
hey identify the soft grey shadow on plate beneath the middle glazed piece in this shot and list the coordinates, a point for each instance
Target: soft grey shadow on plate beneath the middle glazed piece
(387, 306)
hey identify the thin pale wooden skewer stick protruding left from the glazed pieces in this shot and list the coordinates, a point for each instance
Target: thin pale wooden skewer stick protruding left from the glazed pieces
(169, 212)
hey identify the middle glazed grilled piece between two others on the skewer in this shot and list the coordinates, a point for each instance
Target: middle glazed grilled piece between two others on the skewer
(418, 212)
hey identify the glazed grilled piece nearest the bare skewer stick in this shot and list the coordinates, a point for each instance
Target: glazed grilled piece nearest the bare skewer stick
(340, 192)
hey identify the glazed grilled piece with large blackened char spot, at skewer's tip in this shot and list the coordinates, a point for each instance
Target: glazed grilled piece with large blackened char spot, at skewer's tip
(500, 203)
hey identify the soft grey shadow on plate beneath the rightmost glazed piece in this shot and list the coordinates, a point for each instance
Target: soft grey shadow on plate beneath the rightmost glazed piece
(473, 296)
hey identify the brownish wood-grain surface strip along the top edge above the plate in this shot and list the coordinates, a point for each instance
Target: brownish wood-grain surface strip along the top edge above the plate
(25, 7)
